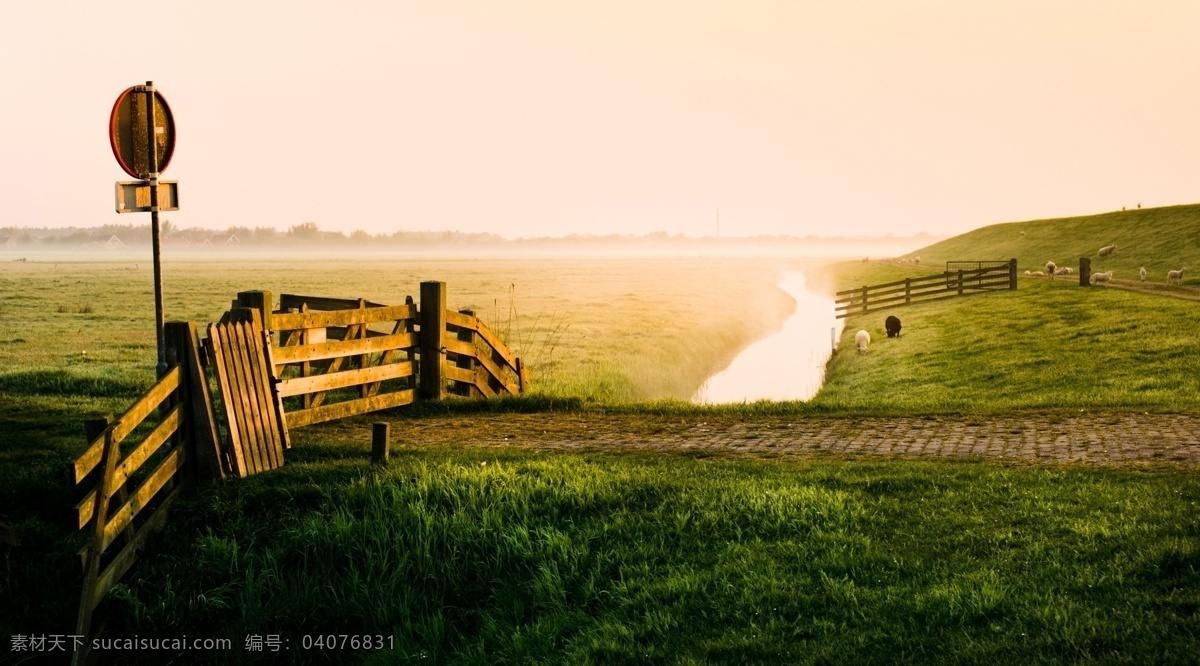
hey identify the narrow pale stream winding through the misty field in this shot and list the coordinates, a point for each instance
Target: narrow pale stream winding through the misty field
(788, 365)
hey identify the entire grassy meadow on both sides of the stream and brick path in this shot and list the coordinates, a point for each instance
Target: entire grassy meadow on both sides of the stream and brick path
(472, 555)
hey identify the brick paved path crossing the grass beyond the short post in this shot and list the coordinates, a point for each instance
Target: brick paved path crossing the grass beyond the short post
(1054, 439)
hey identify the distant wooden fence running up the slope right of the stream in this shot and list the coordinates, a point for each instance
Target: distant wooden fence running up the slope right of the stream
(929, 289)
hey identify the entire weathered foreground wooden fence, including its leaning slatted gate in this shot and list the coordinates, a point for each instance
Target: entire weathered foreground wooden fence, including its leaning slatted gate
(329, 358)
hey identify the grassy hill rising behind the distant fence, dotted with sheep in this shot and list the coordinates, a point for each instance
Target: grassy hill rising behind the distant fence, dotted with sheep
(1161, 239)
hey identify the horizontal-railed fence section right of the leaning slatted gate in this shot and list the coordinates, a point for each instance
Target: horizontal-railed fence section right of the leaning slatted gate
(346, 357)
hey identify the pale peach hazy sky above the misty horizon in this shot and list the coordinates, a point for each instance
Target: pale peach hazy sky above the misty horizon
(533, 118)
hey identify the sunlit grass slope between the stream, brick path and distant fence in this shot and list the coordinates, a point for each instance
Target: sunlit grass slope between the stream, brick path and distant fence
(1049, 345)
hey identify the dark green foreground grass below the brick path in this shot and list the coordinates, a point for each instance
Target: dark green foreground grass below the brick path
(482, 556)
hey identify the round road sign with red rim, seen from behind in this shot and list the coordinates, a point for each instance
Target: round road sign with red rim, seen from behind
(130, 134)
